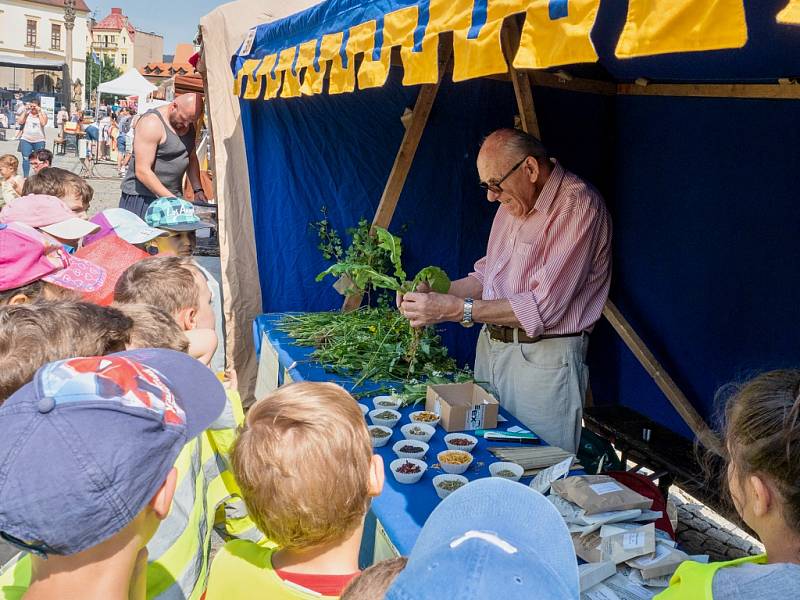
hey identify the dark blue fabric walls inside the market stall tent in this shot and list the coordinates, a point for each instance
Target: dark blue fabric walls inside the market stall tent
(702, 192)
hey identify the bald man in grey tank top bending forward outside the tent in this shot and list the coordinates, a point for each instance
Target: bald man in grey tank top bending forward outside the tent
(163, 151)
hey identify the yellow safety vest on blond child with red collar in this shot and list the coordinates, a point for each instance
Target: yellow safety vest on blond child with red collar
(243, 570)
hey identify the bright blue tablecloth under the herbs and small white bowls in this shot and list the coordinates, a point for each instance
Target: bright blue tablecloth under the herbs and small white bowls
(402, 508)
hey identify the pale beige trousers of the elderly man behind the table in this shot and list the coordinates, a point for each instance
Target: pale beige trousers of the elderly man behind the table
(541, 384)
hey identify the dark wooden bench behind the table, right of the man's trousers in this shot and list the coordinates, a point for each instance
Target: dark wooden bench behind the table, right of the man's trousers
(671, 457)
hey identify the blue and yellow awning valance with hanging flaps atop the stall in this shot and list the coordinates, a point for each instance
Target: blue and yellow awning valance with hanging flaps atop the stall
(292, 57)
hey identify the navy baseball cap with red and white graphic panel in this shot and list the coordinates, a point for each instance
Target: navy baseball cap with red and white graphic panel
(89, 441)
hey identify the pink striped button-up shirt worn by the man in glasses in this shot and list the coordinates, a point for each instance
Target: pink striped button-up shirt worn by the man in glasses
(553, 265)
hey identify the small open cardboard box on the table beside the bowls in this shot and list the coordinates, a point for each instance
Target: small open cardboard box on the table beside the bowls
(462, 406)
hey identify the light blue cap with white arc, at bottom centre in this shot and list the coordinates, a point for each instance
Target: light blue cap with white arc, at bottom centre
(492, 538)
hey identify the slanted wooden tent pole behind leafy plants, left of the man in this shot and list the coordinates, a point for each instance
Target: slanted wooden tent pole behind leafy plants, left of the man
(405, 157)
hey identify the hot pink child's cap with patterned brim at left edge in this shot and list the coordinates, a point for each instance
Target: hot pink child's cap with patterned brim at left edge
(27, 256)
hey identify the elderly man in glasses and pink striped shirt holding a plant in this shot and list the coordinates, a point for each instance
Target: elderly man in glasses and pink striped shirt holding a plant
(539, 289)
